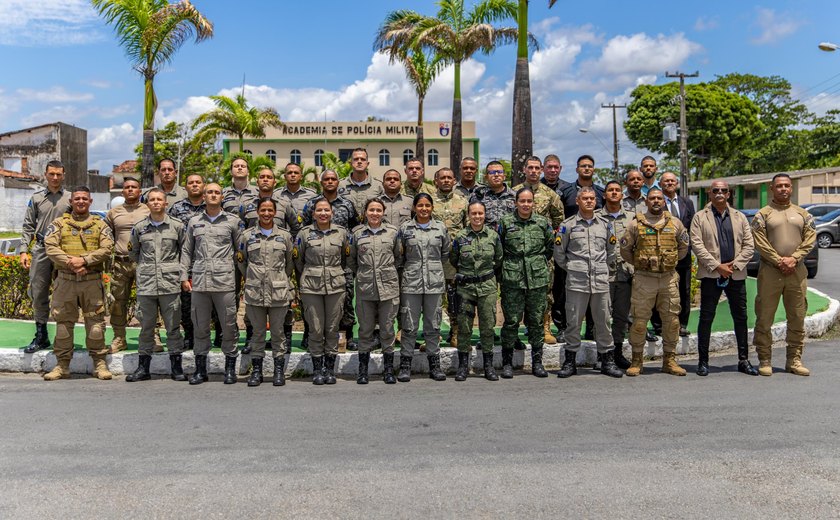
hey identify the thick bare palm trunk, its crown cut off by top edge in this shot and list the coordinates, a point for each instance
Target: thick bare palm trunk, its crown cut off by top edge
(522, 142)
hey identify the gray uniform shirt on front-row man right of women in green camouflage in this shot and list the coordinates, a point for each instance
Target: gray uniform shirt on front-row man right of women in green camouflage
(586, 250)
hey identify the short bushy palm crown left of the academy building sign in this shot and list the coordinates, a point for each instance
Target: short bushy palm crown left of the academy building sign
(235, 117)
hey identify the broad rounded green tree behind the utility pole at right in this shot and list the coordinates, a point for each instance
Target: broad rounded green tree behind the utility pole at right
(720, 123)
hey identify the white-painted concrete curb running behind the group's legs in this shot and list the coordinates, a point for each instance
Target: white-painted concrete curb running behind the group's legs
(300, 364)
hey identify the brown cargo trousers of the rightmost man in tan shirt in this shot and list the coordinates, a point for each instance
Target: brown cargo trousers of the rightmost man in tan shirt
(772, 285)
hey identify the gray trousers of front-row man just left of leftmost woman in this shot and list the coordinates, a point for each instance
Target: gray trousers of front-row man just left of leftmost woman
(203, 304)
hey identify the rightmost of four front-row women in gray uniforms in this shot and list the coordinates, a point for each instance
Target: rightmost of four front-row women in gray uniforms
(425, 246)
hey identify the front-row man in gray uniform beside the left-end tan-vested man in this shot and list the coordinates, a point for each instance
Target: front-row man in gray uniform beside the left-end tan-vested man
(155, 249)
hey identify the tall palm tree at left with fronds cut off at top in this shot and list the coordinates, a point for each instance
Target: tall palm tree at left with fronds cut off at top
(151, 32)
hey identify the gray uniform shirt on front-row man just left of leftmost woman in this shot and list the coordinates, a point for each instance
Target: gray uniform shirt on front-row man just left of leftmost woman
(208, 252)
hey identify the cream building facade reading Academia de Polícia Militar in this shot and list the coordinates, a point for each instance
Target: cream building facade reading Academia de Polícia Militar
(389, 144)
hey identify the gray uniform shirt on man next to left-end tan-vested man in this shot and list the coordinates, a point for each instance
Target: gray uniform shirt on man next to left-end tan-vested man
(157, 251)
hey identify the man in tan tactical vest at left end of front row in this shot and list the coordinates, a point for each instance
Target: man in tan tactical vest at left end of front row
(79, 244)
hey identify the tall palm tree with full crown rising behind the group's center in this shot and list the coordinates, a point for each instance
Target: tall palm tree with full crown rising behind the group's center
(455, 34)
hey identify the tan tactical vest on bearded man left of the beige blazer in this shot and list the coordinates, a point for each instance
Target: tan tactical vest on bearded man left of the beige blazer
(656, 245)
